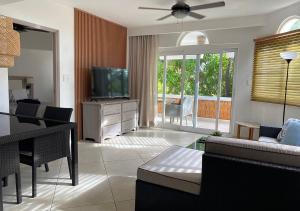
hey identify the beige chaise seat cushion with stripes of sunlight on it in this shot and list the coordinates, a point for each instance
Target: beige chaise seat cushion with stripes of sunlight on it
(177, 168)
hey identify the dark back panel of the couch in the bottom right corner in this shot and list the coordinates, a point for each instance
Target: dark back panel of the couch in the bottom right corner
(232, 184)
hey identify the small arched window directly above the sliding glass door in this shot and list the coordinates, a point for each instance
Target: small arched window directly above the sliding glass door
(193, 38)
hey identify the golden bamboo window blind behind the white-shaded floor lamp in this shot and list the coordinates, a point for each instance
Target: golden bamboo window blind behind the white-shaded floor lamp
(269, 73)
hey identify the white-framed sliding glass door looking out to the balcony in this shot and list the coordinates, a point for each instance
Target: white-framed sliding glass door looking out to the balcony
(195, 91)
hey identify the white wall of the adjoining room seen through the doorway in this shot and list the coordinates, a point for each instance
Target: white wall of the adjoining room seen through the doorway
(36, 61)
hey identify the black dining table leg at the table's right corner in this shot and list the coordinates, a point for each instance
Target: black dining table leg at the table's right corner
(74, 152)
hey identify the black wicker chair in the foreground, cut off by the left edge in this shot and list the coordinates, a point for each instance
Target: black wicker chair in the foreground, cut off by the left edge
(10, 164)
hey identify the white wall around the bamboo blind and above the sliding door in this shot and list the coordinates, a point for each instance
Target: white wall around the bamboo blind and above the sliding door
(246, 110)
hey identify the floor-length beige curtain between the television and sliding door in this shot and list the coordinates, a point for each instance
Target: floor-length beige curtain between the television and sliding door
(142, 71)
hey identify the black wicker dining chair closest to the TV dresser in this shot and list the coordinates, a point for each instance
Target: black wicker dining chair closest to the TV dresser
(39, 151)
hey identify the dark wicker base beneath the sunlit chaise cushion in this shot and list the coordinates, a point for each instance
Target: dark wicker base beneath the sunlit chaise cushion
(150, 197)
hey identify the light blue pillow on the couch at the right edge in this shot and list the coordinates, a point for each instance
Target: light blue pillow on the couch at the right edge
(292, 136)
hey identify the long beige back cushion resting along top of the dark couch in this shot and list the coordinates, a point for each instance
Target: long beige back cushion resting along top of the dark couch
(254, 150)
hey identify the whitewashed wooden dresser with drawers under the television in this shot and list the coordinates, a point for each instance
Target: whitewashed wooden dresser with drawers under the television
(109, 118)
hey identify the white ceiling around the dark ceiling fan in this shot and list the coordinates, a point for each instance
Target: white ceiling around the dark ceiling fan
(125, 12)
